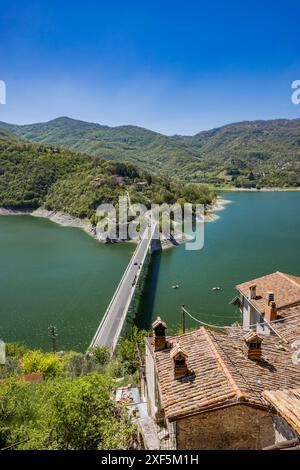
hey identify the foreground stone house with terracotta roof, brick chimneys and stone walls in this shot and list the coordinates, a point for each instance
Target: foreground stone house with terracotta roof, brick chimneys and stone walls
(205, 389)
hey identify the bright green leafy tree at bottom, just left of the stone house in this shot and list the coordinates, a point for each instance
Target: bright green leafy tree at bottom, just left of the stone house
(84, 415)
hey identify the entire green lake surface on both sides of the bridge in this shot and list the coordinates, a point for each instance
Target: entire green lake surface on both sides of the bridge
(55, 275)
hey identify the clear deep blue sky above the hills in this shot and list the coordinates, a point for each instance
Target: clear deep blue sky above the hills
(171, 66)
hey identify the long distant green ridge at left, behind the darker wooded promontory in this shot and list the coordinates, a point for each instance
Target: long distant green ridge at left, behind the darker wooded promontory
(149, 150)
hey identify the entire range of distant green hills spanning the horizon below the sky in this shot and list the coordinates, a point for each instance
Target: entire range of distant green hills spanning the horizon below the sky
(258, 153)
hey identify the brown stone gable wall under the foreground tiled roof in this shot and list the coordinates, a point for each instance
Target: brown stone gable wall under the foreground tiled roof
(235, 427)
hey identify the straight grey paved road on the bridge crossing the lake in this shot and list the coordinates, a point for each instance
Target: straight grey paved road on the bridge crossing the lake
(112, 323)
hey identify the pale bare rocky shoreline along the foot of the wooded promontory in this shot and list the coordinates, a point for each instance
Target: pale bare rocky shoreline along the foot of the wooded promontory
(67, 220)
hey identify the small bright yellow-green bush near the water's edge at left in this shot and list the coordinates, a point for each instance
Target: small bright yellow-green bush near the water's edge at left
(47, 363)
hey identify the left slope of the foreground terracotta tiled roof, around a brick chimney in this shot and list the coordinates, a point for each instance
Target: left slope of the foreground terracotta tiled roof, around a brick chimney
(205, 386)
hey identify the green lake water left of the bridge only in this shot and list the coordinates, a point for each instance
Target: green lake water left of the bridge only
(54, 275)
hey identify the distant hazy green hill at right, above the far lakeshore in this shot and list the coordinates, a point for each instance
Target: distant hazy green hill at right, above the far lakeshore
(258, 153)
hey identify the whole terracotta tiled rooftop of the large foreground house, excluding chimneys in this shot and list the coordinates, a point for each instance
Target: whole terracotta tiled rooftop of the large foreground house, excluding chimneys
(220, 374)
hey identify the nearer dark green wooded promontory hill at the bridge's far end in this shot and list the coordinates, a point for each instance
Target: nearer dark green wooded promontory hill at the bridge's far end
(34, 175)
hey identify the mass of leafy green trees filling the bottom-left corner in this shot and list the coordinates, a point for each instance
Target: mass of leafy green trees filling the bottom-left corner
(74, 414)
